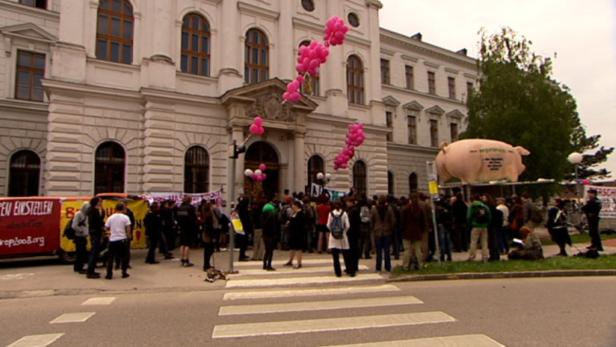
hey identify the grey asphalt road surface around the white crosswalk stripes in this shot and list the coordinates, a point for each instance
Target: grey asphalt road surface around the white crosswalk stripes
(511, 312)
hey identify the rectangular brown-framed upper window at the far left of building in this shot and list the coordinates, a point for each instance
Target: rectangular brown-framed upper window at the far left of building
(30, 72)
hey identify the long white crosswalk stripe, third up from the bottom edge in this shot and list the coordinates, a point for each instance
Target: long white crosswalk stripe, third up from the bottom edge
(318, 305)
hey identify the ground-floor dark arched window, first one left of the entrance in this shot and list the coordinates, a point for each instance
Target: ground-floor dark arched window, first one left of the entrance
(196, 170)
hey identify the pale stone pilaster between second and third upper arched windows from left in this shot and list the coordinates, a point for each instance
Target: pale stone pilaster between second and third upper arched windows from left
(230, 73)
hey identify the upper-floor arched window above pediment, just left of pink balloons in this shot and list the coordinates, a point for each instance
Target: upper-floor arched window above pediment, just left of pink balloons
(256, 57)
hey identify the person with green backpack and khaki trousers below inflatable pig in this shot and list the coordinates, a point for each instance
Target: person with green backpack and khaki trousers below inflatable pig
(479, 219)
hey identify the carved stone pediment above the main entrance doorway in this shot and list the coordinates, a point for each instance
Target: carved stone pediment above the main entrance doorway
(265, 99)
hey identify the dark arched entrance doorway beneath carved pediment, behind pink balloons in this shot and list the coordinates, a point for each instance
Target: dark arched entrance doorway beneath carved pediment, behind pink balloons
(257, 153)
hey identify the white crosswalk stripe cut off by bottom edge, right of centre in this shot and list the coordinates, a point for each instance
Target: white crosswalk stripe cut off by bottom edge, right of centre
(444, 341)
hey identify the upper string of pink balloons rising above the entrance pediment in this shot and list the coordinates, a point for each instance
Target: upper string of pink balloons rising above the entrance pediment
(311, 57)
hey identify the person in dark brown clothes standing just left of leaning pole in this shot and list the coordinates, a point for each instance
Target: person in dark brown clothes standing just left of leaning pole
(413, 220)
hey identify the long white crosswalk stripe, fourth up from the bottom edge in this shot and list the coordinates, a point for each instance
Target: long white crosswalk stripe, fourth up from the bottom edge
(271, 294)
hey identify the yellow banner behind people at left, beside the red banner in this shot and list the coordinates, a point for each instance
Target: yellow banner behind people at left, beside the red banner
(139, 208)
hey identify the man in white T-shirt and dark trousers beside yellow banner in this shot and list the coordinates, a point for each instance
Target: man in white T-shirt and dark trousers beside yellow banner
(118, 229)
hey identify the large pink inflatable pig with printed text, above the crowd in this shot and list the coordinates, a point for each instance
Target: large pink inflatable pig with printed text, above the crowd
(480, 161)
